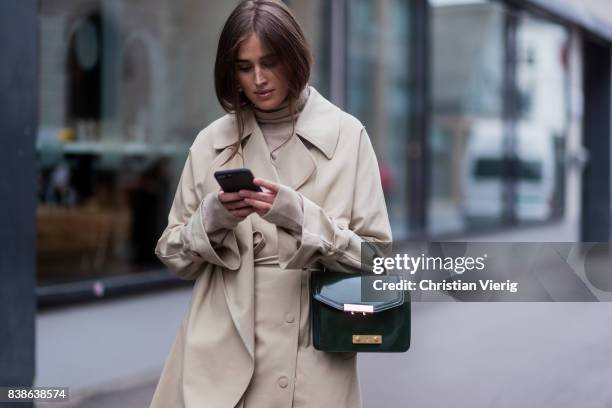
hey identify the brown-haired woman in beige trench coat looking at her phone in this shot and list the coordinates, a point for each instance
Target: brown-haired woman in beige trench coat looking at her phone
(245, 340)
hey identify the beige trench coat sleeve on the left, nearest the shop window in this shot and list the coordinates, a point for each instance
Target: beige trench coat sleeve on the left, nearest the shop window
(192, 240)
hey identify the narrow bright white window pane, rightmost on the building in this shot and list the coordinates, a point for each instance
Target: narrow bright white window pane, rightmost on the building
(542, 89)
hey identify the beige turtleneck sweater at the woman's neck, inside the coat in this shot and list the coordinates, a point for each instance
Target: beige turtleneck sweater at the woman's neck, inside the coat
(276, 125)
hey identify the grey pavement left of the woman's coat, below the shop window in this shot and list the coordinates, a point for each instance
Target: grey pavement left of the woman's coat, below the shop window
(116, 345)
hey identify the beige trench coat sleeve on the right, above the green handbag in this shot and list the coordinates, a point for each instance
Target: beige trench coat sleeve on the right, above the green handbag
(321, 238)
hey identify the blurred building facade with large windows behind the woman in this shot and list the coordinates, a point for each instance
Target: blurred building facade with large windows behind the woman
(477, 111)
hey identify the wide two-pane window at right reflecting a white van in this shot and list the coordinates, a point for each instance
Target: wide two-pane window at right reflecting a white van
(499, 116)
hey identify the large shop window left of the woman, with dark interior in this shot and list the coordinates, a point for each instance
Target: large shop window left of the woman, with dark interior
(124, 89)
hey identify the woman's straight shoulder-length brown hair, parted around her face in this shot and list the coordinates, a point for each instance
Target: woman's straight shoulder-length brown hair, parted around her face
(277, 28)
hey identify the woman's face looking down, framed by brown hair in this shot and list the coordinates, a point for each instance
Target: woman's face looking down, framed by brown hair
(259, 74)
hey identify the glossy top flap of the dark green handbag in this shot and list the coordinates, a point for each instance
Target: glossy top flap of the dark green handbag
(337, 289)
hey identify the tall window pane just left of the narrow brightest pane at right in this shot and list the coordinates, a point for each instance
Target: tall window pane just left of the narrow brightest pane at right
(466, 135)
